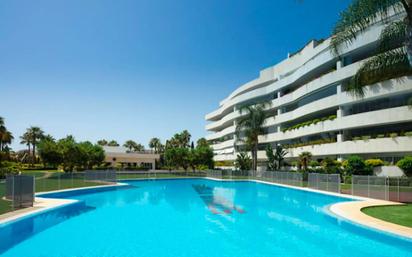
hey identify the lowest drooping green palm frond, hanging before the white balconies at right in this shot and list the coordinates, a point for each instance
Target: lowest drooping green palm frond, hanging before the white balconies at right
(384, 66)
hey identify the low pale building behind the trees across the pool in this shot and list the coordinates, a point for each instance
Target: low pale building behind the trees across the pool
(119, 156)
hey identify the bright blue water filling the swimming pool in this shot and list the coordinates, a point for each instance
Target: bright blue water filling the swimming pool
(195, 217)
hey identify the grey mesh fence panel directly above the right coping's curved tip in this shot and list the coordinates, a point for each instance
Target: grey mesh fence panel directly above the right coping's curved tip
(325, 182)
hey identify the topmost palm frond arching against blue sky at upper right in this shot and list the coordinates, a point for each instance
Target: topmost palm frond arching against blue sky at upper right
(358, 17)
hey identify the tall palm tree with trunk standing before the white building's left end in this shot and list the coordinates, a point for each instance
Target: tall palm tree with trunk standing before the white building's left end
(250, 127)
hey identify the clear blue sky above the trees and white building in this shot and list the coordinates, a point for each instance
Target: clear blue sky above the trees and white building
(137, 69)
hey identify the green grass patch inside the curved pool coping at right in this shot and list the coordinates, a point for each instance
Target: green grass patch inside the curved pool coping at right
(398, 214)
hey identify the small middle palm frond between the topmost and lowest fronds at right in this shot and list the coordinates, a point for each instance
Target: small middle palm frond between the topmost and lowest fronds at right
(392, 35)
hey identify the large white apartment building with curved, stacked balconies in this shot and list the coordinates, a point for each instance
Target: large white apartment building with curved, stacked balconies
(309, 88)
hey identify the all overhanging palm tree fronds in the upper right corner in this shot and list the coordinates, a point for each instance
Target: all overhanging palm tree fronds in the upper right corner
(394, 57)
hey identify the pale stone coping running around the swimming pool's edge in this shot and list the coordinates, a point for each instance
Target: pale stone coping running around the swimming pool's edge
(350, 211)
